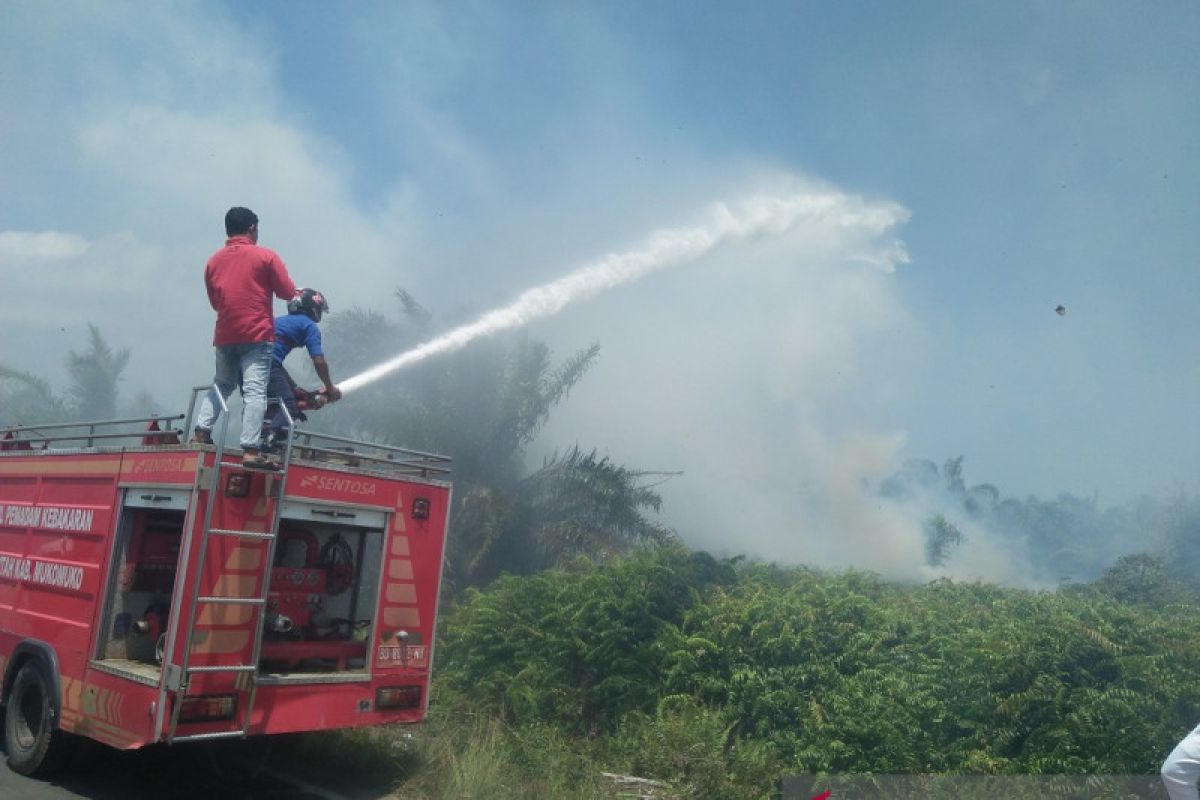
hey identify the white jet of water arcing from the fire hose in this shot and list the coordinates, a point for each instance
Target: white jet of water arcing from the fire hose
(755, 216)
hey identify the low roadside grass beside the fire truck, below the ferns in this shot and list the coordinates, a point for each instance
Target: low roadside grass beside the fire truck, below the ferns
(463, 755)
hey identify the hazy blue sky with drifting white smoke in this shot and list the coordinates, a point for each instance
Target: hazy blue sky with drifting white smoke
(1025, 154)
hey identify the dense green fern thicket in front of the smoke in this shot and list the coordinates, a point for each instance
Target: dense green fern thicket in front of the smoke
(722, 677)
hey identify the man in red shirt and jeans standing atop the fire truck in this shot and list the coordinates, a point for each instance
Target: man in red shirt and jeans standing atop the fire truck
(241, 279)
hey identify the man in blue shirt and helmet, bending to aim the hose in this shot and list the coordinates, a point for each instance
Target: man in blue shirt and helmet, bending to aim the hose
(298, 328)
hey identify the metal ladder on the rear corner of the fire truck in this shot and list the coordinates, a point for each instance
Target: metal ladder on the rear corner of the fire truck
(178, 678)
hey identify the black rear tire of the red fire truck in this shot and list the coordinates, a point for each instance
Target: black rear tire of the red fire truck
(34, 744)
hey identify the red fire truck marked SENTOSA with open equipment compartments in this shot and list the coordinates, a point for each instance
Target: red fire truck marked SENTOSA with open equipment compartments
(159, 592)
